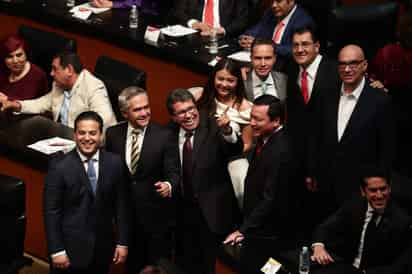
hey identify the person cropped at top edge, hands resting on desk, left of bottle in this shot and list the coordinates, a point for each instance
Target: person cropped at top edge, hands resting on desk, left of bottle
(147, 6)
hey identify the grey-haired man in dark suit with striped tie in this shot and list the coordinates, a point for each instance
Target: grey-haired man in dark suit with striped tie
(153, 173)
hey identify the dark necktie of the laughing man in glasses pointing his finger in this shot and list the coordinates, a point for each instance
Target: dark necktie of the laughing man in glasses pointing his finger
(187, 163)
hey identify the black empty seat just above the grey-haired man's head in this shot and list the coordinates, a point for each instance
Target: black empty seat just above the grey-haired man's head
(117, 76)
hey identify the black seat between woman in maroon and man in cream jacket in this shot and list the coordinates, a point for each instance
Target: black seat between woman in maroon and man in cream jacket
(43, 45)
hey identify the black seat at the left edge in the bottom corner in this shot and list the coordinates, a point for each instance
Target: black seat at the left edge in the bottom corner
(13, 225)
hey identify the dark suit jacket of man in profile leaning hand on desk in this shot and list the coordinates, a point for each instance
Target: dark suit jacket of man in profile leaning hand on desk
(269, 185)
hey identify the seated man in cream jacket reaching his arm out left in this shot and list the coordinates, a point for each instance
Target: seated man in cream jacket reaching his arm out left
(75, 90)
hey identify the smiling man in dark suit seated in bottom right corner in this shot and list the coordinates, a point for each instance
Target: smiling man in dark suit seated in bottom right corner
(370, 232)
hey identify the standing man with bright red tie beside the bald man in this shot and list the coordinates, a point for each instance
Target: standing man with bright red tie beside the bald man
(310, 76)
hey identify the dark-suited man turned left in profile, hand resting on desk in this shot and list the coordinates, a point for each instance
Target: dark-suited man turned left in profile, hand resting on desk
(268, 202)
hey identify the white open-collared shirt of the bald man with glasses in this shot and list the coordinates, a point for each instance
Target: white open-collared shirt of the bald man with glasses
(347, 104)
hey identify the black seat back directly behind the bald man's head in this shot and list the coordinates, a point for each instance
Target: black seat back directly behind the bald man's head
(369, 25)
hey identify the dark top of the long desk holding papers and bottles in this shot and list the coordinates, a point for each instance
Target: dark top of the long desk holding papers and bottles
(112, 26)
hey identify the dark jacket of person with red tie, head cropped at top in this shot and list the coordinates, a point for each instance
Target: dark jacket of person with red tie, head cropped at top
(232, 13)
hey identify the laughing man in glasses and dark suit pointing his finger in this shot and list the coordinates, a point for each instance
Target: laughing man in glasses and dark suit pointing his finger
(207, 205)
